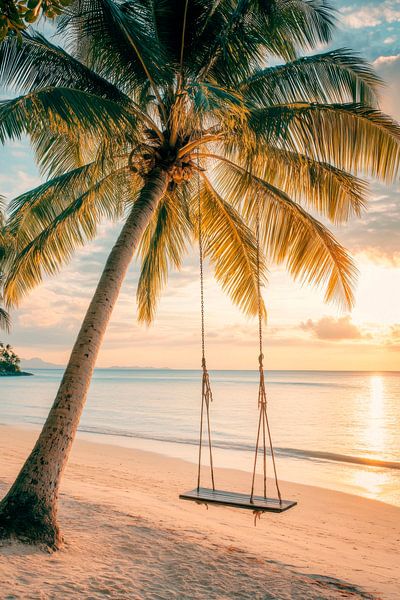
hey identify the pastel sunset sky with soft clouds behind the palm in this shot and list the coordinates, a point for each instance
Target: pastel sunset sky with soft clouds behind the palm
(302, 331)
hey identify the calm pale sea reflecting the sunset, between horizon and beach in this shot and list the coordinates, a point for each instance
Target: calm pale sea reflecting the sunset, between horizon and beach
(324, 424)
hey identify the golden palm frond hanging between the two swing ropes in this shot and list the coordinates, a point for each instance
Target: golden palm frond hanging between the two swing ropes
(231, 248)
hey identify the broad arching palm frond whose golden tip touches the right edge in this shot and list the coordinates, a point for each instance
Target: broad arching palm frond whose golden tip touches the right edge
(352, 137)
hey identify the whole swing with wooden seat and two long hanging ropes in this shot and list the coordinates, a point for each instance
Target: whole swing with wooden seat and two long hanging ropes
(202, 495)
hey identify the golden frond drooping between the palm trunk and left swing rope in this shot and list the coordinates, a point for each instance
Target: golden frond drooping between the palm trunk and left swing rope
(162, 246)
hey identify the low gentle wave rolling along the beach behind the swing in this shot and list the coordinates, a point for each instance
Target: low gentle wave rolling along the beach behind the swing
(289, 452)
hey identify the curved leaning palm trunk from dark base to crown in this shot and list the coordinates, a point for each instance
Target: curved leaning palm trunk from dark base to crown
(29, 510)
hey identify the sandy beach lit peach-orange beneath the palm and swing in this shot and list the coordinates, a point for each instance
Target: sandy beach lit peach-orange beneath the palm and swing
(128, 536)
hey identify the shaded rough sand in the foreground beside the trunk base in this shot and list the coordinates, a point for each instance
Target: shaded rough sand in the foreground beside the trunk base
(116, 555)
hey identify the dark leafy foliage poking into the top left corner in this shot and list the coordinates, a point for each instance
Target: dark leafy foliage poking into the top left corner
(17, 15)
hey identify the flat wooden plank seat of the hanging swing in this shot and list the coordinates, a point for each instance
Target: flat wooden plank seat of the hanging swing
(236, 500)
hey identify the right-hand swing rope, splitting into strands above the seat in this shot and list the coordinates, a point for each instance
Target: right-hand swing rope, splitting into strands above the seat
(263, 423)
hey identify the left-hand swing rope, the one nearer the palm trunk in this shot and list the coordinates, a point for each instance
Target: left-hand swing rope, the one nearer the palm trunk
(206, 393)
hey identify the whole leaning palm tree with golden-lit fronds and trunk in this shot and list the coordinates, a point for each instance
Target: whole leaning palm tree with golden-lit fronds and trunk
(159, 110)
